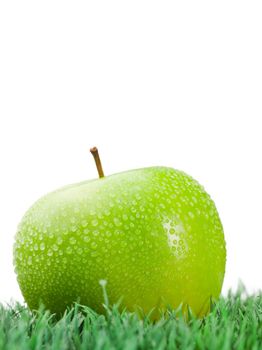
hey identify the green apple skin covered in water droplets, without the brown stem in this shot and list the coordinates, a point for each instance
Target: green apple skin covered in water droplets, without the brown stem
(153, 234)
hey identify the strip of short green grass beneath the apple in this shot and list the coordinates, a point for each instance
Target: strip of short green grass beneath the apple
(235, 322)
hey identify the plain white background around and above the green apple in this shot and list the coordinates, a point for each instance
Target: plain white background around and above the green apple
(148, 82)
